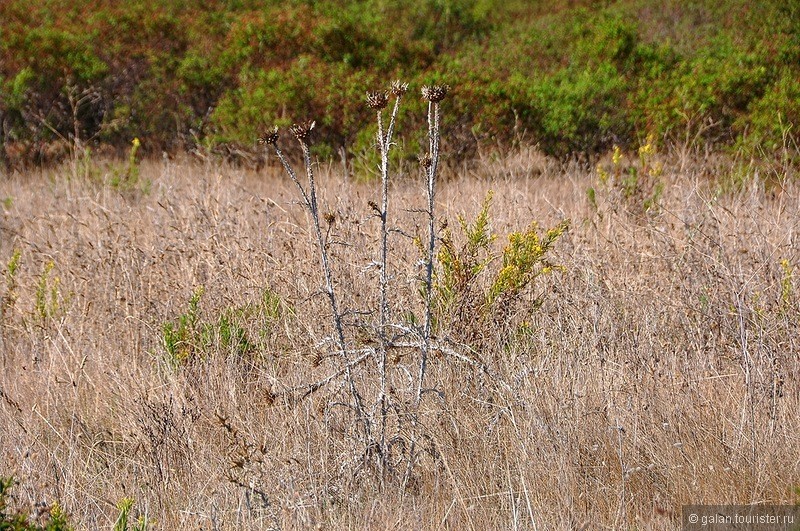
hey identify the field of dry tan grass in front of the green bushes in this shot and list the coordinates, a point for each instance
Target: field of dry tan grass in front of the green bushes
(156, 340)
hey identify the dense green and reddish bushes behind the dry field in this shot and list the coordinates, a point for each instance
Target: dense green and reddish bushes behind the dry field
(574, 76)
